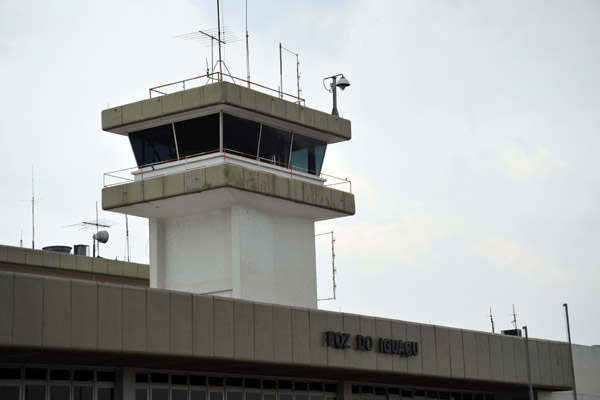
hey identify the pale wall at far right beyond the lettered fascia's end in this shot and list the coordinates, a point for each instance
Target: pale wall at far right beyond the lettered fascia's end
(586, 360)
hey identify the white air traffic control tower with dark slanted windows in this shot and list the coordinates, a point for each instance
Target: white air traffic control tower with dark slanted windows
(230, 179)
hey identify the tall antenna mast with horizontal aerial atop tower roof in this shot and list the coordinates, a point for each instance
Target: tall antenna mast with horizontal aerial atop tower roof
(208, 37)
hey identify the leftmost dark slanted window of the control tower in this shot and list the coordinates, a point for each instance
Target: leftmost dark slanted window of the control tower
(153, 145)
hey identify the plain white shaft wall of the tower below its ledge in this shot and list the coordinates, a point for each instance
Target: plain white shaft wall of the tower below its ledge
(238, 252)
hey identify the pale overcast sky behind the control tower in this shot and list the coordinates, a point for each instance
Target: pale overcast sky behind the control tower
(475, 124)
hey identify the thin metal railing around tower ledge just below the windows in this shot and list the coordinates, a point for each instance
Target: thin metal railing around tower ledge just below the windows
(229, 156)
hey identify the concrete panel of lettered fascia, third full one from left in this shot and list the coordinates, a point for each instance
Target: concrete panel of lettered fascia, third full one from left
(84, 315)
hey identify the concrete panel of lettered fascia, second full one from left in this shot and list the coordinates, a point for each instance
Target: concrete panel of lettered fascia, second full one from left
(57, 313)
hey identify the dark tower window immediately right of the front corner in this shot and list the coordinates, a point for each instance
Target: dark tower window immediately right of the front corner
(240, 135)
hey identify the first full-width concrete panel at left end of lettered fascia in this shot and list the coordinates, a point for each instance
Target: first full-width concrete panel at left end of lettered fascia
(28, 308)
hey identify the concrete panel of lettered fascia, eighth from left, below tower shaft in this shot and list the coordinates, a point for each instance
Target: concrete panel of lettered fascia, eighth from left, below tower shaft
(181, 323)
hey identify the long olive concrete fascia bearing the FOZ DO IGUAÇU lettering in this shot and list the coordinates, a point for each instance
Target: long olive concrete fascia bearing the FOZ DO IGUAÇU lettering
(50, 313)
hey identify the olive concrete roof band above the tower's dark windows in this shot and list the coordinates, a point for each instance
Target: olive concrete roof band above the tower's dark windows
(115, 119)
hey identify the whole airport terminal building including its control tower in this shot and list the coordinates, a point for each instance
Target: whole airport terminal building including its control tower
(230, 180)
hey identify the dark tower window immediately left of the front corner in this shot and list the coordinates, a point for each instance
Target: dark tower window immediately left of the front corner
(198, 135)
